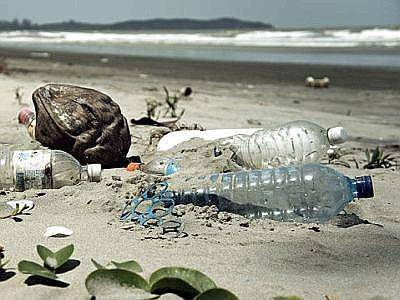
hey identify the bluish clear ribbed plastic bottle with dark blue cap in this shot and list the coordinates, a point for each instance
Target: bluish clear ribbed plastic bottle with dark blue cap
(307, 193)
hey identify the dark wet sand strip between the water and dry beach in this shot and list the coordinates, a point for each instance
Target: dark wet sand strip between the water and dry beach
(360, 77)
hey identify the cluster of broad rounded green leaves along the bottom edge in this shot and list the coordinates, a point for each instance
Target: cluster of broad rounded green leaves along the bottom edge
(122, 281)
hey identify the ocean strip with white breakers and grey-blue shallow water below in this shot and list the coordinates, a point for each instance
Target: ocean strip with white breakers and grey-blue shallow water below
(364, 47)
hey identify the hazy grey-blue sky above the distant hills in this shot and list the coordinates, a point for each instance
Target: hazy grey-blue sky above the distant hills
(280, 13)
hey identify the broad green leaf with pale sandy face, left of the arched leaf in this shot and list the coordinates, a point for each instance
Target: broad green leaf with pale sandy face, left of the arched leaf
(116, 283)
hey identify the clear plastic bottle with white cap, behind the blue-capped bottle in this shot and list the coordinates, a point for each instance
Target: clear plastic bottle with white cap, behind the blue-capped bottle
(292, 143)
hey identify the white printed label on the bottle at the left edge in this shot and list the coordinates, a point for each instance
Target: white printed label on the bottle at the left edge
(32, 169)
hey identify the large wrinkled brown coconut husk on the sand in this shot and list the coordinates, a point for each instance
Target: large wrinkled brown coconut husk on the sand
(83, 122)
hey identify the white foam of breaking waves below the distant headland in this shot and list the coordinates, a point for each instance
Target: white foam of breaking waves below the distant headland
(378, 37)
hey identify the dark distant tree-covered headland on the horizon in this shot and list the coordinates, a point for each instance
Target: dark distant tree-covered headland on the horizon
(153, 24)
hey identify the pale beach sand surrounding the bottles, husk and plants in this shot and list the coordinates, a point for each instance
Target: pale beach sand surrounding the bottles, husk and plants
(259, 259)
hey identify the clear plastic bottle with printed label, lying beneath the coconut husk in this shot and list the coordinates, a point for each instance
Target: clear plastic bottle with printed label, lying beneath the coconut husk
(42, 169)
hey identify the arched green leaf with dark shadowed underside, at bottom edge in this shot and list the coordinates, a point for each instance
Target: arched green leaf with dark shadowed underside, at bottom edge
(184, 282)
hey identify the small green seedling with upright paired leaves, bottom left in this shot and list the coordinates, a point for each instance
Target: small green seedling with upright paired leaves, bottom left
(52, 262)
